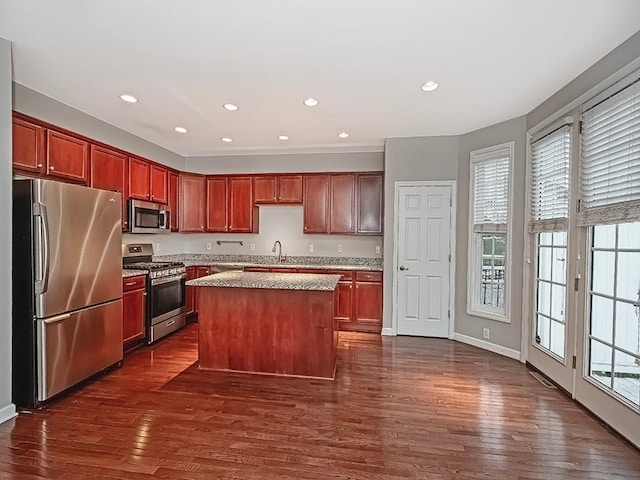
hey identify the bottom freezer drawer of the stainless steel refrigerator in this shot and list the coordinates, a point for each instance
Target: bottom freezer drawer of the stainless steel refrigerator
(72, 347)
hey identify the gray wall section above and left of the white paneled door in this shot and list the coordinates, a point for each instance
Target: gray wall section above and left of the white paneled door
(419, 158)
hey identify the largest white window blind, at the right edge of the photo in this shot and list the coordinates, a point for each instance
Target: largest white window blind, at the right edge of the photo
(610, 163)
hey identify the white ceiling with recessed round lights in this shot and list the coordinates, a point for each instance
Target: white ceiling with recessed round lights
(364, 60)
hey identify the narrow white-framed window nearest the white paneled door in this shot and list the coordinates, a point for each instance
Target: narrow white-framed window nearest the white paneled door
(490, 188)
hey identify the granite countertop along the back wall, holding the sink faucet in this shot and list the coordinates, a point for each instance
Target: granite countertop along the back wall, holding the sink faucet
(230, 262)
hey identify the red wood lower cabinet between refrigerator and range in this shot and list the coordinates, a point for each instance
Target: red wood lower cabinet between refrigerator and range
(134, 311)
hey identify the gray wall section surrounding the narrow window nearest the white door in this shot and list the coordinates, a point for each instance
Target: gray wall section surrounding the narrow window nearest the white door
(503, 334)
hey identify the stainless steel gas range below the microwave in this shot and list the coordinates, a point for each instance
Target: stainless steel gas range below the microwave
(165, 290)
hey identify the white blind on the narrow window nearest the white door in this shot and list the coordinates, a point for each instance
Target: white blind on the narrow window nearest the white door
(490, 172)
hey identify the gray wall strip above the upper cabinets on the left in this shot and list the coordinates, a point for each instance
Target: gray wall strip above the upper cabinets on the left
(45, 108)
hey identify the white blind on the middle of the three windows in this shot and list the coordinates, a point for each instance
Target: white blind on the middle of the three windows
(550, 157)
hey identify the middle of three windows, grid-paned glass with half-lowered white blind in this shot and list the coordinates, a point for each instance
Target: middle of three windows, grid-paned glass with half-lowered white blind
(548, 221)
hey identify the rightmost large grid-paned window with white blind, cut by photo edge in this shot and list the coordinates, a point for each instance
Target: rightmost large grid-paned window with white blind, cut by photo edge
(610, 207)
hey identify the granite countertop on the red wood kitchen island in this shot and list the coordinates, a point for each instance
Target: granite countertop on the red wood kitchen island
(274, 281)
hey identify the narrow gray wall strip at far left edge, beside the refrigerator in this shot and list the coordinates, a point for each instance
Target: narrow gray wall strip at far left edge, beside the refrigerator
(7, 410)
